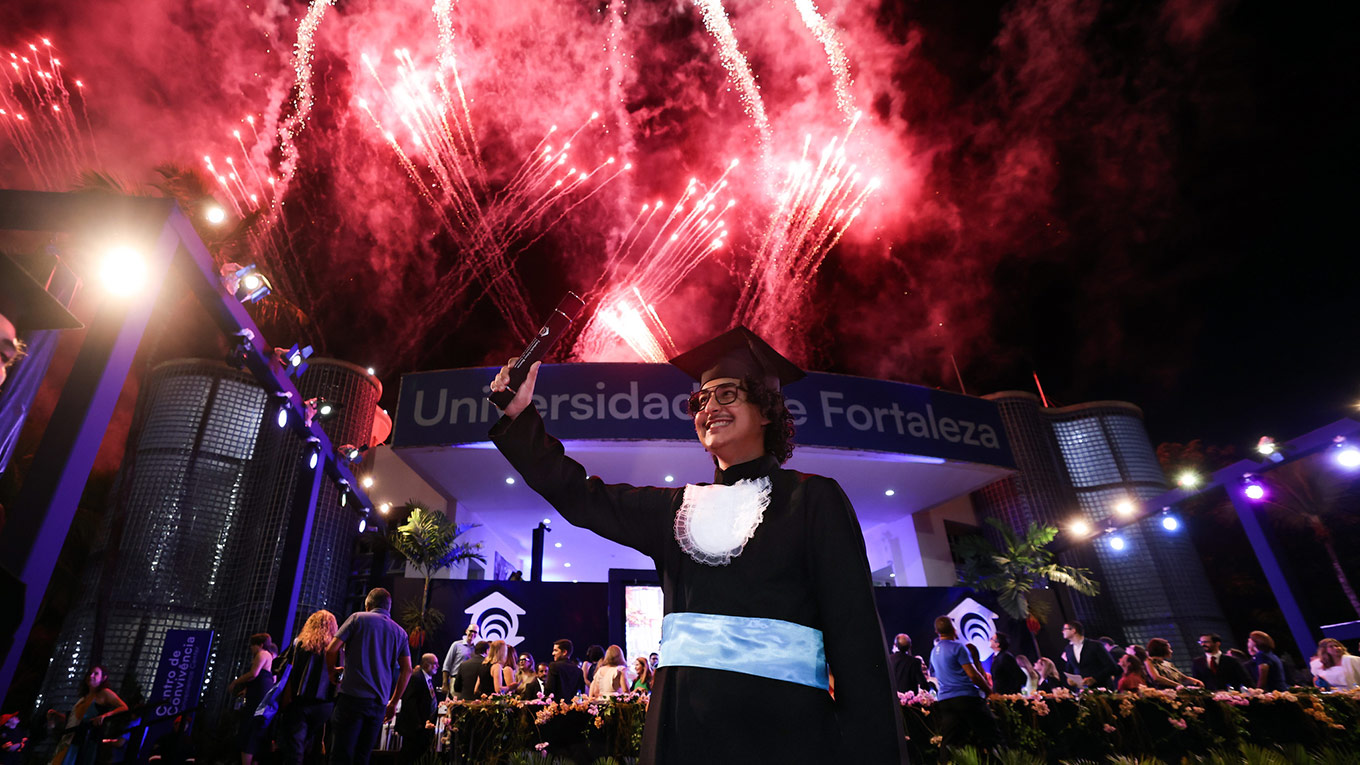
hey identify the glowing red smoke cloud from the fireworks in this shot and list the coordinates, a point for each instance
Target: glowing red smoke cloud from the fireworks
(440, 198)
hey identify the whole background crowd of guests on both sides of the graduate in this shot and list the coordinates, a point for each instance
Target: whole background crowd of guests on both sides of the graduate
(331, 692)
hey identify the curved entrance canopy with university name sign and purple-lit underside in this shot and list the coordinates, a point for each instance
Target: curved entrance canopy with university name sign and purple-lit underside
(896, 449)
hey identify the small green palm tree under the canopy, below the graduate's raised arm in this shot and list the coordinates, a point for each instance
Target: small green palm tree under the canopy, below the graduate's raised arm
(429, 542)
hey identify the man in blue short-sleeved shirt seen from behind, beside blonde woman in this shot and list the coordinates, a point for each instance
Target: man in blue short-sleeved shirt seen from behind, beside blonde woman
(375, 646)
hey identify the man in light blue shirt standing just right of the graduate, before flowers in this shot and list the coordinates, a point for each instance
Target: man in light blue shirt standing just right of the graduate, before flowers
(961, 709)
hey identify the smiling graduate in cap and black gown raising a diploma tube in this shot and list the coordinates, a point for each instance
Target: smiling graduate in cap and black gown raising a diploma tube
(765, 576)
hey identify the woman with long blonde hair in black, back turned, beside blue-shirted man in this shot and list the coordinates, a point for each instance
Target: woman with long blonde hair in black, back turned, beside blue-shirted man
(311, 696)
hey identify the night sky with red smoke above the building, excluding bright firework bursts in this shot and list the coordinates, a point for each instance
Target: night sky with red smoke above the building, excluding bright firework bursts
(1149, 202)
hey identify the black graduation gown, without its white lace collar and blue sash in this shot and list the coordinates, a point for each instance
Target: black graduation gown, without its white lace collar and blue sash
(804, 564)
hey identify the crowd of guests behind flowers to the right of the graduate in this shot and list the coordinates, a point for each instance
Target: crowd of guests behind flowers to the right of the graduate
(955, 674)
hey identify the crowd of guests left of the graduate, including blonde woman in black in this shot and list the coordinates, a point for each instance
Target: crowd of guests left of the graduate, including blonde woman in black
(339, 685)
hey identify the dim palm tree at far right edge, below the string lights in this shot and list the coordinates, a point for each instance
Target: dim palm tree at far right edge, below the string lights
(1310, 493)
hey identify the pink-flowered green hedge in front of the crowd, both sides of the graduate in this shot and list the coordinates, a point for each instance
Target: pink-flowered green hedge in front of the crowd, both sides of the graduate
(1060, 726)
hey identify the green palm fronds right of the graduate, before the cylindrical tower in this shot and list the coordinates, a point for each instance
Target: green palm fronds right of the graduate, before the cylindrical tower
(1018, 568)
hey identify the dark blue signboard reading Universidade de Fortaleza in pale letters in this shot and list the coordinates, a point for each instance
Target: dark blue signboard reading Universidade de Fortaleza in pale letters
(648, 402)
